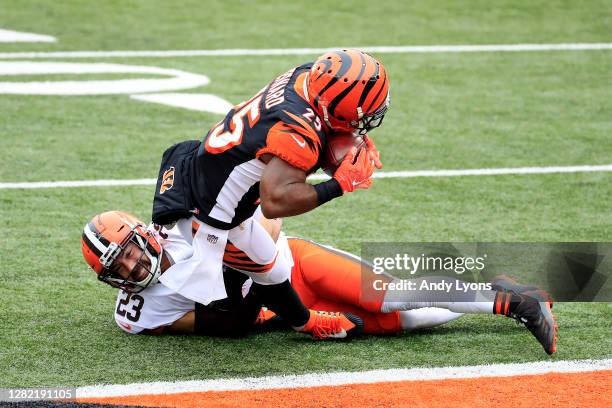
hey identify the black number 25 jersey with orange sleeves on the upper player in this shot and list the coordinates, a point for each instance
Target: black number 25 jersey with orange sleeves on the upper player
(225, 170)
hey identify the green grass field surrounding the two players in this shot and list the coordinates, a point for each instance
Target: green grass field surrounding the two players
(449, 111)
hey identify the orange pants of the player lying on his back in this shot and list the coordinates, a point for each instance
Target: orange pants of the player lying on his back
(330, 280)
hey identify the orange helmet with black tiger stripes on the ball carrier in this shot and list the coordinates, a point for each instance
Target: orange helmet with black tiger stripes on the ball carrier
(349, 89)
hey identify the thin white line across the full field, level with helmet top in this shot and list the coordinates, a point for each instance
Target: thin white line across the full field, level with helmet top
(400, 49)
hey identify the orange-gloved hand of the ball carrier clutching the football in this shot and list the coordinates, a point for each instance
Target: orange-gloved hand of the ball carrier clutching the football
(355, 171)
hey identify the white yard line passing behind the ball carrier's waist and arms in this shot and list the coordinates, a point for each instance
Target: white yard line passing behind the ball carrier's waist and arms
(380, 174)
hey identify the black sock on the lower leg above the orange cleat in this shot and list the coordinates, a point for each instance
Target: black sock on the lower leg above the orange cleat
(283, 300)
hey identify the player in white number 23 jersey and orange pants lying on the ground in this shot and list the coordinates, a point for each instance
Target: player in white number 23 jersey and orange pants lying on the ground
(325, 278)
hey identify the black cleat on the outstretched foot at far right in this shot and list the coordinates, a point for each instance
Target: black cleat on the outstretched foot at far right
(533, 310)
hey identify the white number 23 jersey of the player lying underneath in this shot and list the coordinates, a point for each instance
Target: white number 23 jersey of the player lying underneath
(157, 305)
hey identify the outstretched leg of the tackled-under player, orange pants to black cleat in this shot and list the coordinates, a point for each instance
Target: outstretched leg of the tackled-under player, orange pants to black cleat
(341, 277)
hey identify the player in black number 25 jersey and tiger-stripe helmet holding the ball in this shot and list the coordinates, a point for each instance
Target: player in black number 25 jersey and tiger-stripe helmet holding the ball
(261, 154)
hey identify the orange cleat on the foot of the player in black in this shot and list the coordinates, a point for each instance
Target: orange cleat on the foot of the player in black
(333, 325)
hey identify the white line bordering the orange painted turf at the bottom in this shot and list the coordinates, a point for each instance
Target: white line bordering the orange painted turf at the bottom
(344, 378)
